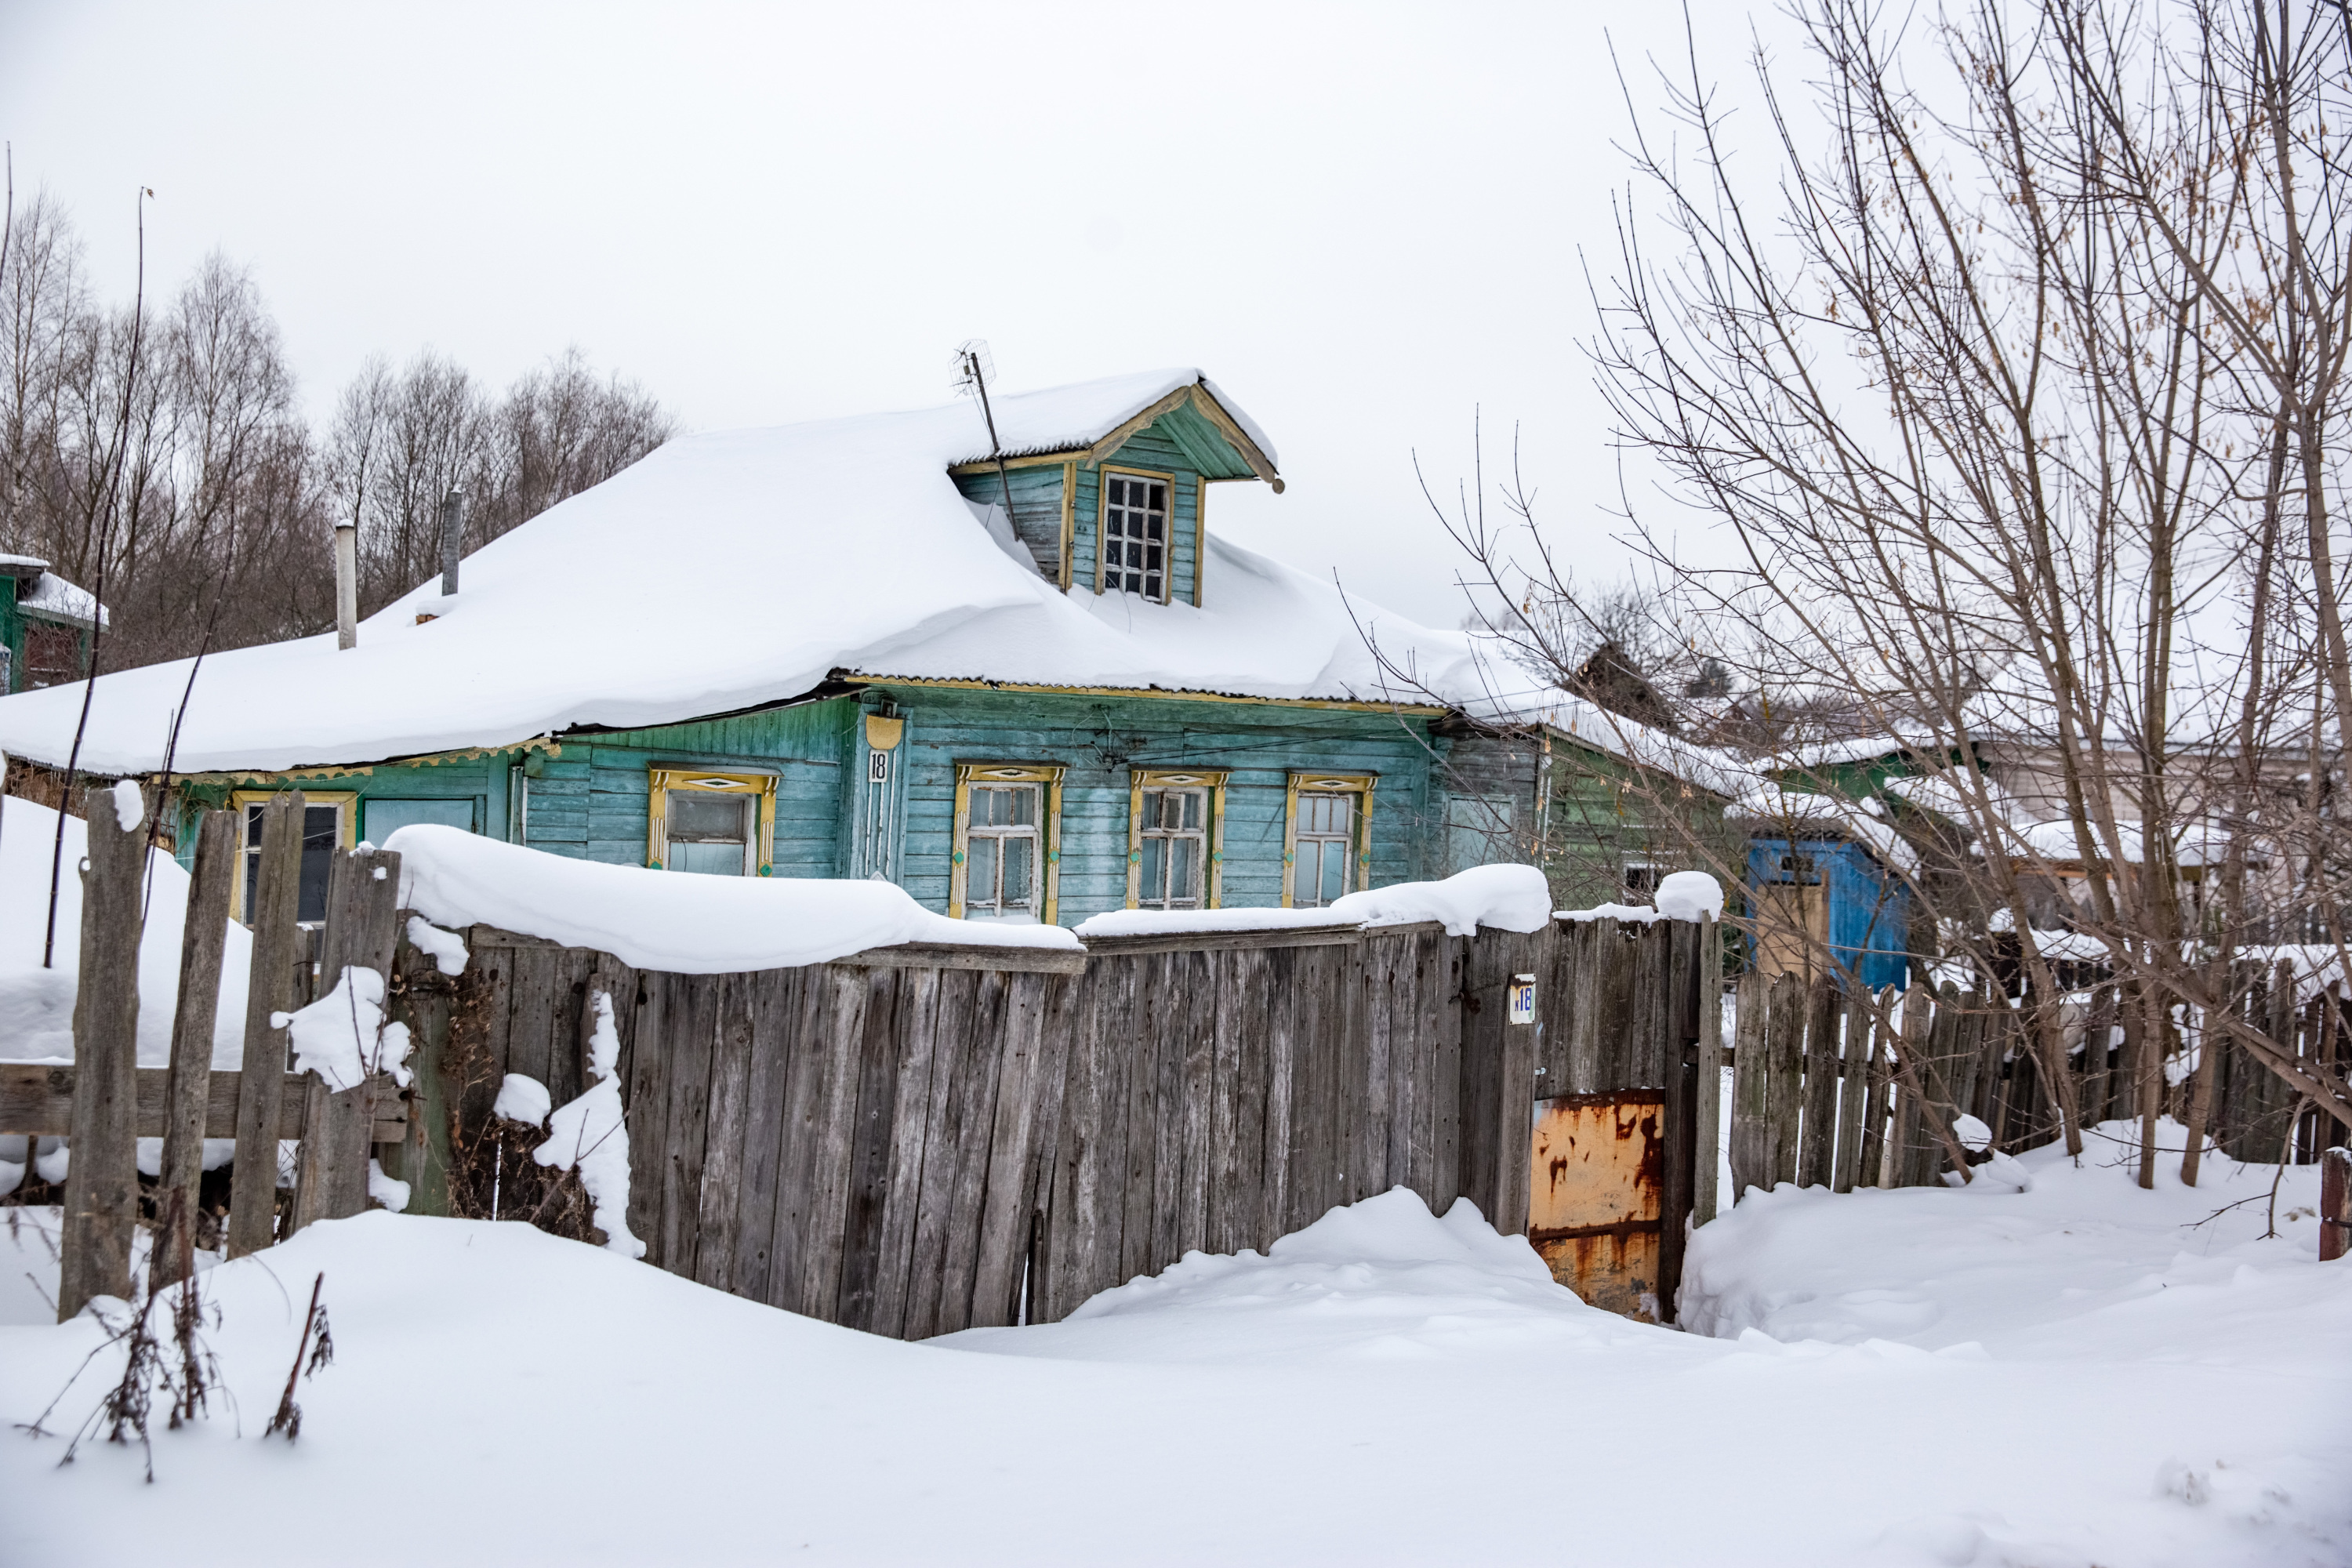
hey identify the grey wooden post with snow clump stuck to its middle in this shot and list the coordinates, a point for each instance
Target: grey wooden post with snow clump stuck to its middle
(363, 932)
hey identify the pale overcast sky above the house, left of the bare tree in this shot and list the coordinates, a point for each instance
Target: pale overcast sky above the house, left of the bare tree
(1363, 222)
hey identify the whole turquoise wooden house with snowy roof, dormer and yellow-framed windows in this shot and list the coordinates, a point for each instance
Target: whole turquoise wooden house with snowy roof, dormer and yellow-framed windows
(1076, 704)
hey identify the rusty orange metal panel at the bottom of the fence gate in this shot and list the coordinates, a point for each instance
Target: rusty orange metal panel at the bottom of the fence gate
(1596, 1193)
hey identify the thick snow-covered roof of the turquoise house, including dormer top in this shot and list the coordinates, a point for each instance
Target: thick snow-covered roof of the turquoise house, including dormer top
(737, 570)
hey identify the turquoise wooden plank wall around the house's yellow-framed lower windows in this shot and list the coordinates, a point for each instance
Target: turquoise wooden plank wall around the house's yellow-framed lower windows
(589, 796)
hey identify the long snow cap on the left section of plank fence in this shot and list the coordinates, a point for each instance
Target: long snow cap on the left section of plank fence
(669, 920)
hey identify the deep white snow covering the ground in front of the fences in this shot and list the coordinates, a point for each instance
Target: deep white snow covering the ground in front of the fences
(2059, 1376)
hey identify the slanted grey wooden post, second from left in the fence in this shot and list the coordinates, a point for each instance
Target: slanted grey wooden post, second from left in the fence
(192, 1043)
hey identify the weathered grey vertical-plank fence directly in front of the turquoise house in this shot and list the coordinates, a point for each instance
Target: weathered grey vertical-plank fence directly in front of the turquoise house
(918, 1141)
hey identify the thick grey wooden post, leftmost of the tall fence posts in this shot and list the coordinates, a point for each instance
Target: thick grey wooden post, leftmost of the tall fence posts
(102, 1179)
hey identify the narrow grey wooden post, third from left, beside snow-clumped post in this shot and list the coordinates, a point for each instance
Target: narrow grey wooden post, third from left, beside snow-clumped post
(253, 1191)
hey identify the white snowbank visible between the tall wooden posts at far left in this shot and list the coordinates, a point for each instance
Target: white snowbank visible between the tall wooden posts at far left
(36, 1005)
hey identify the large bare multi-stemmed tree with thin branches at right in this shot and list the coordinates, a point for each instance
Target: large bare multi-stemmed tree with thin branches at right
(2019, 398)
